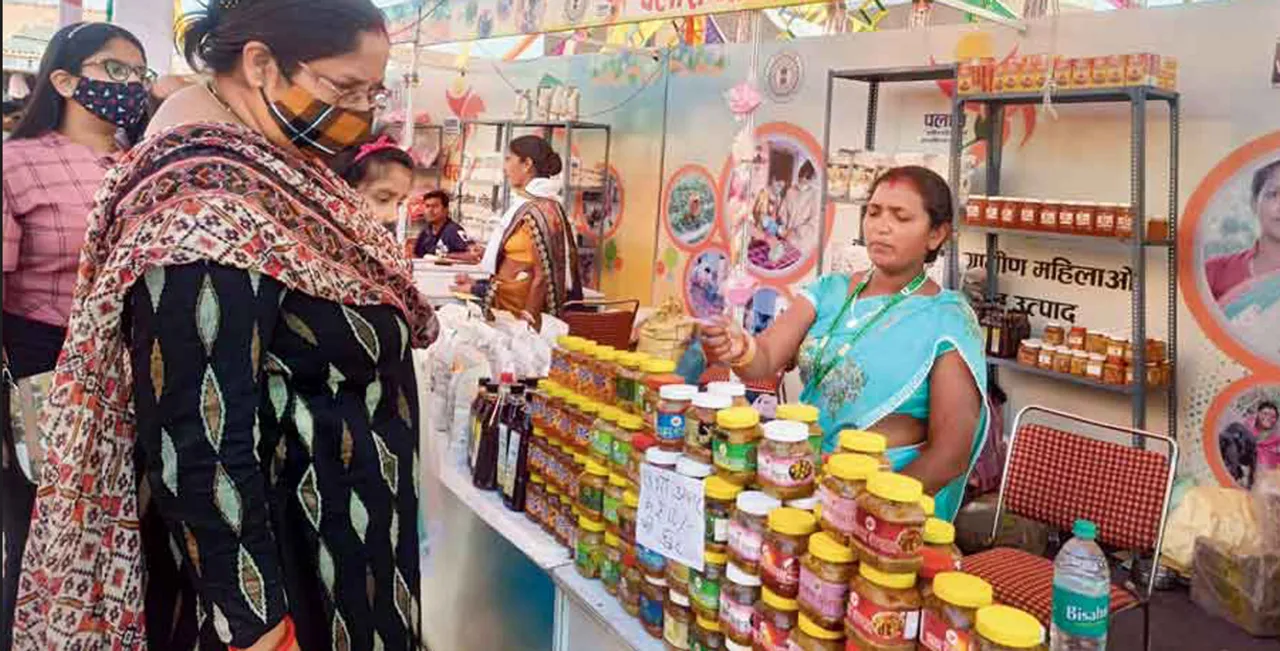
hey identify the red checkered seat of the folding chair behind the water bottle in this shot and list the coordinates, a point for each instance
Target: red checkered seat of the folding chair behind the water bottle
(1026, 581)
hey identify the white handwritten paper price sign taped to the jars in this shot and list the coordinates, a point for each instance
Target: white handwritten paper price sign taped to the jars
(671, 519)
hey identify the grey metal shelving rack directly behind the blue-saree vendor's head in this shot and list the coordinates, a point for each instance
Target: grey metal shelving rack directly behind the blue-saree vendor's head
(875, 77)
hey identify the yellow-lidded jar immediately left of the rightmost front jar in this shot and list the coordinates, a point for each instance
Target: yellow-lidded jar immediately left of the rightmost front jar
(950, 609)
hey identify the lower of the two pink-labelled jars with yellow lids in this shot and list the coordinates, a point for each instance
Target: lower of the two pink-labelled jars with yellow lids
(825, 576)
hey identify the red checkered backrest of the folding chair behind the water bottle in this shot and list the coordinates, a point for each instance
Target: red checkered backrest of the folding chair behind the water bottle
(1057, 478)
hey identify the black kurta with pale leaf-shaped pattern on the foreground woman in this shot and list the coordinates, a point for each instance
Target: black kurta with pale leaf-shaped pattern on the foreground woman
(278, 443)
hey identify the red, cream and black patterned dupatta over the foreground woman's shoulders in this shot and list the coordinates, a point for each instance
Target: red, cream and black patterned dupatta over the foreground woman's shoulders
(204, 192)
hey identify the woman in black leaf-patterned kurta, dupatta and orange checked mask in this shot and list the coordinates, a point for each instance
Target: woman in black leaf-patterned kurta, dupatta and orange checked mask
(235, 423)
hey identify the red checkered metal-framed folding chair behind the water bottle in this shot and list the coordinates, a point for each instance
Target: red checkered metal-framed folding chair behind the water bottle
(1063, 467)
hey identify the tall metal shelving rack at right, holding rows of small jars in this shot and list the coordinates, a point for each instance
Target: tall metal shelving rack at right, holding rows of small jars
(1137, 246)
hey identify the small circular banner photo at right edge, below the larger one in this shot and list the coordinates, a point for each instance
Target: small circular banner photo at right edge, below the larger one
(1242, 432)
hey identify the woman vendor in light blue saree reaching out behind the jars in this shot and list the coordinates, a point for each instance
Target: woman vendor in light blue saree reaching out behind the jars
(885, 350)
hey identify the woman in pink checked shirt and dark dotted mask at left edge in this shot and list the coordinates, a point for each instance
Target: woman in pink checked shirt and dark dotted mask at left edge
(93, 86)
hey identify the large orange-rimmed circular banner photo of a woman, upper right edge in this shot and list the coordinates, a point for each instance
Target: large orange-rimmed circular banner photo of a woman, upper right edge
(1231, 254)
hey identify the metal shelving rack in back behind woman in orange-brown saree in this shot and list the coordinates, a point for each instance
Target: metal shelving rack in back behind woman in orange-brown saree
(506, 131)
